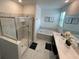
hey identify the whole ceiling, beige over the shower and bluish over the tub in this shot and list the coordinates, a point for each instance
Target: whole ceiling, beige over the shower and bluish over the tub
(54, 4)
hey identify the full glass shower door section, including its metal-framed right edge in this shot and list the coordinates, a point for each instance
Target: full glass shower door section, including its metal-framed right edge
(25, 29)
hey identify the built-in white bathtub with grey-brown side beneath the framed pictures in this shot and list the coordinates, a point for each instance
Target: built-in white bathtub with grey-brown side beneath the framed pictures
(45, 34)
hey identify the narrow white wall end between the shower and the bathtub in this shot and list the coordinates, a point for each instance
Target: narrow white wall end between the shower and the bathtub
(37, 21)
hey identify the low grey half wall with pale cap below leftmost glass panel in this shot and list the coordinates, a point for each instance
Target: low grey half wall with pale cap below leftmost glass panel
(12, 49)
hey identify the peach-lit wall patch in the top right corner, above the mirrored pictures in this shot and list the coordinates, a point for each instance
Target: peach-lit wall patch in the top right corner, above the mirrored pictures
(73, 8)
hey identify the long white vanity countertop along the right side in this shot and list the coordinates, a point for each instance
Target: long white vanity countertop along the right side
(64, 51)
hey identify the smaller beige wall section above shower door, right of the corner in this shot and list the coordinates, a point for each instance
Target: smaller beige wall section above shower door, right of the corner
(29, 10)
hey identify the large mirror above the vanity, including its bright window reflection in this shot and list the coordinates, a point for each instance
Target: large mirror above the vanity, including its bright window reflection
(69, 21)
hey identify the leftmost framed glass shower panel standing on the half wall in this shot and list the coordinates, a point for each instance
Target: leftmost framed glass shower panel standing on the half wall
(8, 27)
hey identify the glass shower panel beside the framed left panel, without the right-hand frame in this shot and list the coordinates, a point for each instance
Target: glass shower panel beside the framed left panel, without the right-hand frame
(22, 28)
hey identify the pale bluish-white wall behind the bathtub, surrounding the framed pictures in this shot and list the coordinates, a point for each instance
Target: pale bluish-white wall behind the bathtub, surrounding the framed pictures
(50, 13)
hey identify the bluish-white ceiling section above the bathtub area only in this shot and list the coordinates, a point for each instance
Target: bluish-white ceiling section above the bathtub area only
(54, 4)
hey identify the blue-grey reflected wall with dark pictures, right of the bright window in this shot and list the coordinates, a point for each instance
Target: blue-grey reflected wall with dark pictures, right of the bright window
(71, 23)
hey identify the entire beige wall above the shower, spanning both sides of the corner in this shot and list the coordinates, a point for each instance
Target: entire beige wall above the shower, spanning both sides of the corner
(11, 7)
